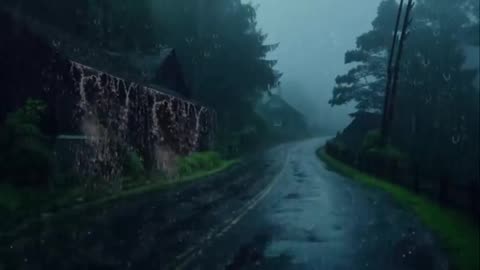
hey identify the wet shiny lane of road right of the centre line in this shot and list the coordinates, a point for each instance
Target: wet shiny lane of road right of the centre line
(312, 218)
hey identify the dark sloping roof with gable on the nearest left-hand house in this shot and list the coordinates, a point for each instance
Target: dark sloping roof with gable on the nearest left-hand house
(159, 70)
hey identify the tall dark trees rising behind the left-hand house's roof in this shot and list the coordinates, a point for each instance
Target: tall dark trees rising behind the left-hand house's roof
(222, 52)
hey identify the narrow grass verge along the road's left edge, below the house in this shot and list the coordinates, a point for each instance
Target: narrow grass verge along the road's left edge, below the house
(20, 207)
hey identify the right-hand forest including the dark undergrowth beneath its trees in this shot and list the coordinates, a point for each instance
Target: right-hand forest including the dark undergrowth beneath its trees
(435, 128)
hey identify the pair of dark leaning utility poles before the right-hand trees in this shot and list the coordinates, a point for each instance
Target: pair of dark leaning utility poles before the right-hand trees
(393, 69)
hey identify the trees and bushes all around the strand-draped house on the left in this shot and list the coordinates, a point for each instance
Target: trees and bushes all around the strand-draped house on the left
(222, 54)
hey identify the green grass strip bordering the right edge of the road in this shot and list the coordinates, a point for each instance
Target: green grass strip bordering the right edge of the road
(458, 233)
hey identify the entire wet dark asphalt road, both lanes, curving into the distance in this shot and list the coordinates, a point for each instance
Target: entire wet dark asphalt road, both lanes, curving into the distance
(282, 209)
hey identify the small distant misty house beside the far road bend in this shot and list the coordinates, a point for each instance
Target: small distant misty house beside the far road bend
(282, 117)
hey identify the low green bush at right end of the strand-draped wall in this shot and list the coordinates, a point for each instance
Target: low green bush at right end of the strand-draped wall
(197, 162)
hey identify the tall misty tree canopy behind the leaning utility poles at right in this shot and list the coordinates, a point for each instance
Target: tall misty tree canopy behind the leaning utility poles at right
(437, 104)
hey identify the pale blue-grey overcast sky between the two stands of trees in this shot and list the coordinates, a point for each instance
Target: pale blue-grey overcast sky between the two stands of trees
(313, 37)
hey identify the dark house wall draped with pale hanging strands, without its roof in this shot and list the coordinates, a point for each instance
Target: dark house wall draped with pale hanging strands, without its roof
(114, 115)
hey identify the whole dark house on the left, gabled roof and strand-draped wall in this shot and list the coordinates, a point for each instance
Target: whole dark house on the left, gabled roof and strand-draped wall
(98, 105)
